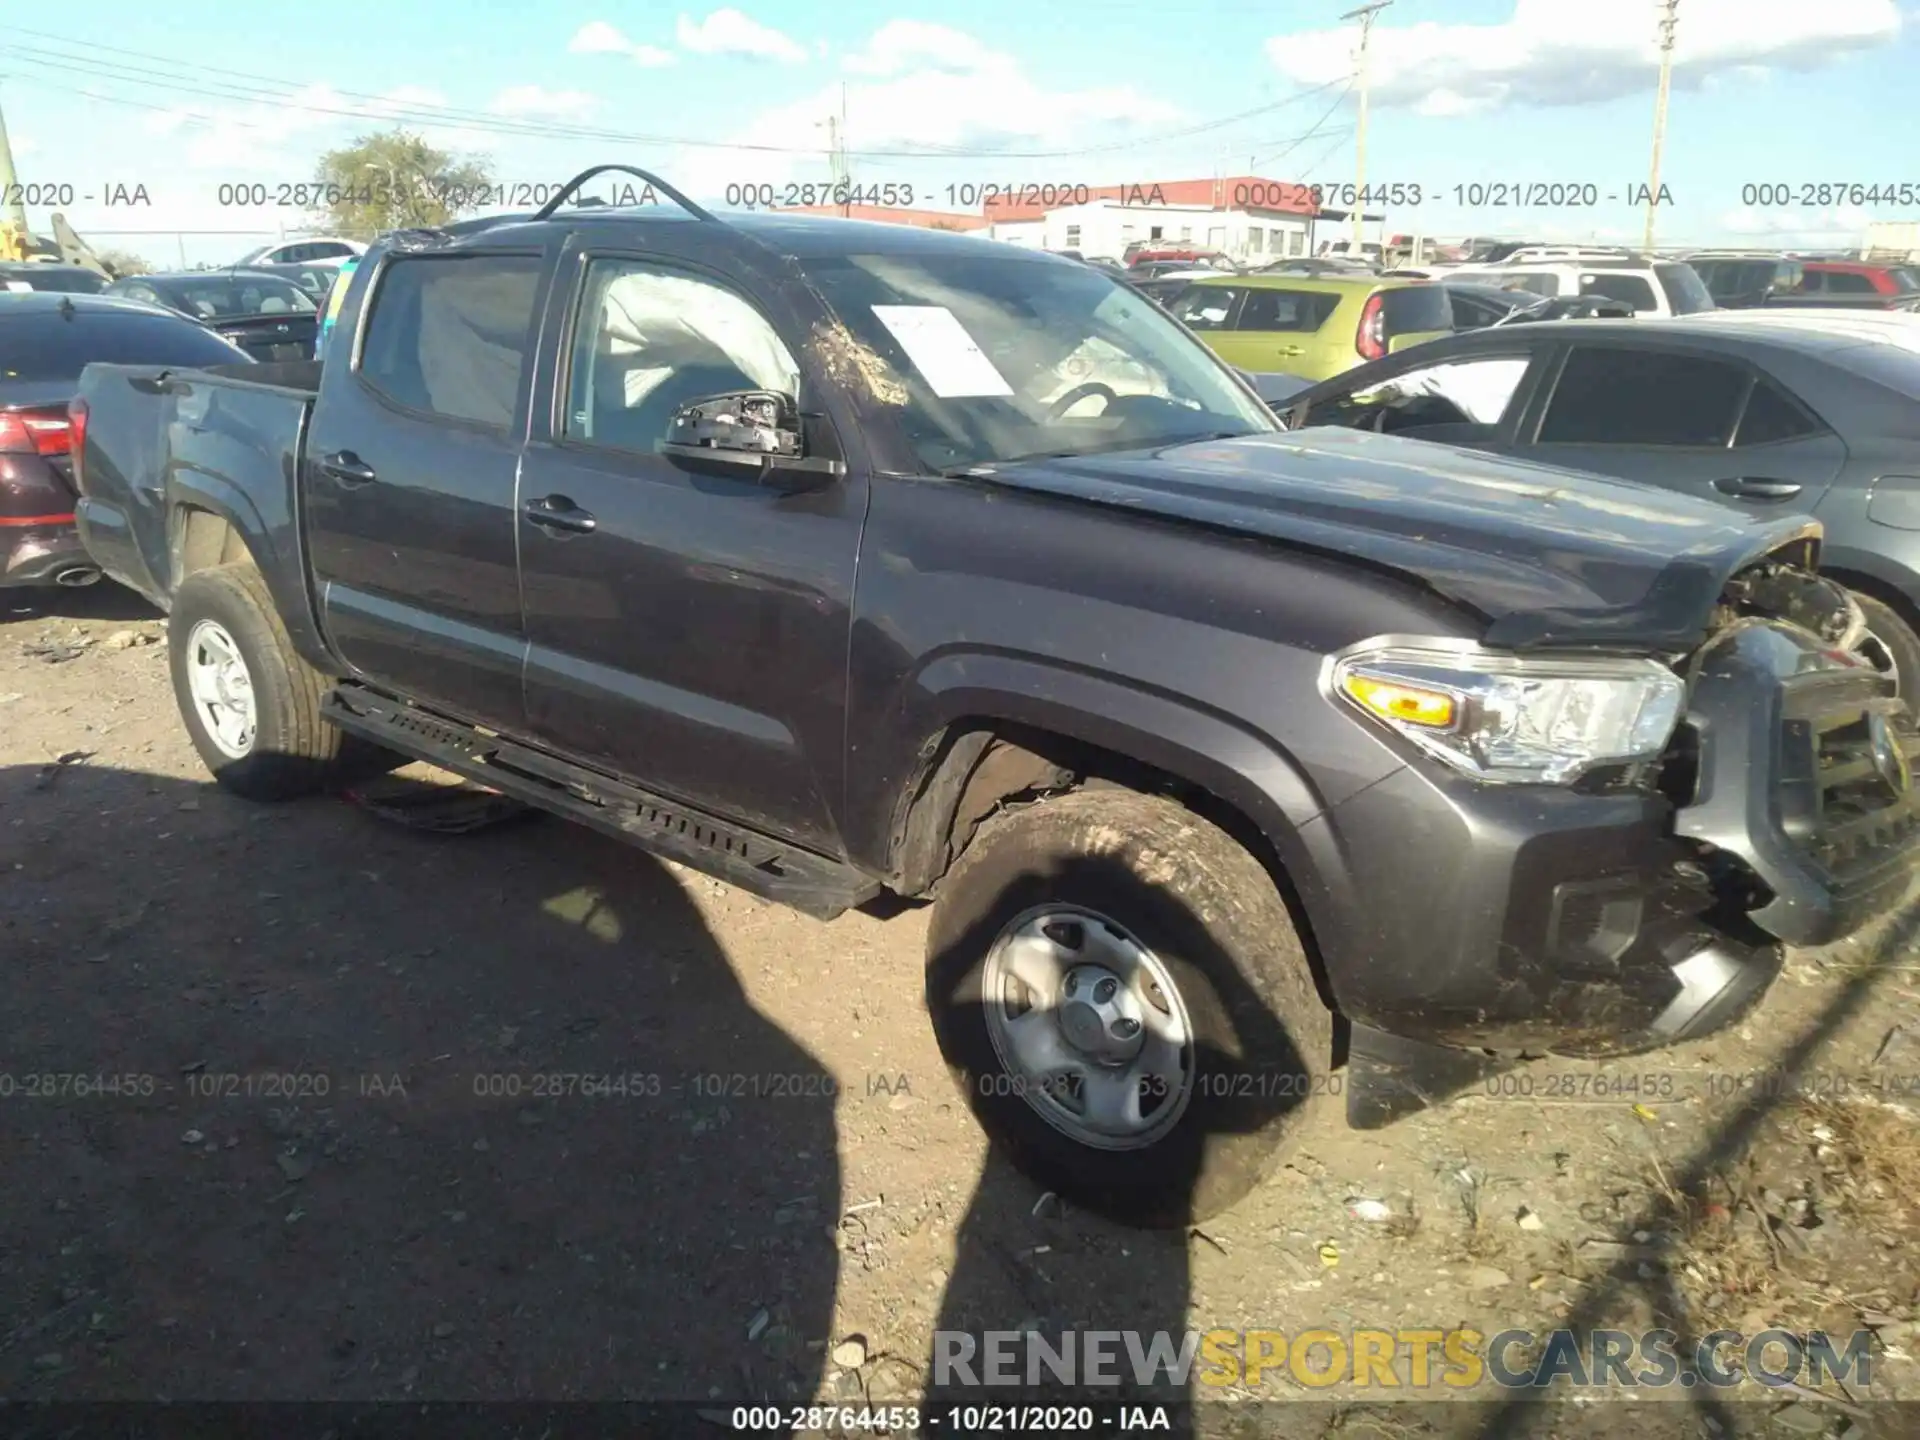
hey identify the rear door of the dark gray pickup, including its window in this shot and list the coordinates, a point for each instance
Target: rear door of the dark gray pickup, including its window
(410, 479)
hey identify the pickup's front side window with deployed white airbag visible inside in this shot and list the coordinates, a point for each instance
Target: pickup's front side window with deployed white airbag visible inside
(652, 341)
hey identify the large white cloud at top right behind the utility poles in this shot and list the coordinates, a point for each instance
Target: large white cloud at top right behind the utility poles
(1566, 53)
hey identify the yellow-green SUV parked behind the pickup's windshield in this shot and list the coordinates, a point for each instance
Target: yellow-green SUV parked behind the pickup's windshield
(1310, 325)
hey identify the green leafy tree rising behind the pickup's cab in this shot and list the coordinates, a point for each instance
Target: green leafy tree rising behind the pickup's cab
(395, 181)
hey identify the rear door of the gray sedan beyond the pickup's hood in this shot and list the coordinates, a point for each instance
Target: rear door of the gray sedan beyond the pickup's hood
(1700, 423)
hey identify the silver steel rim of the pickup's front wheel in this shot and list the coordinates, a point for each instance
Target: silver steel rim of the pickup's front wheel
(1090, 1028)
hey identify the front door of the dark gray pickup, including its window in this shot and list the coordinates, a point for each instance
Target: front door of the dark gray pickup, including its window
(686, 629)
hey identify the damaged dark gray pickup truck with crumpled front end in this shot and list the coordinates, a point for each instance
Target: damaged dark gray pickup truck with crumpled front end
(844, 560)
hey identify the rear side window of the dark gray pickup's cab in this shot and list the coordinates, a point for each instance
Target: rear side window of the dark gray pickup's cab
(452, 335)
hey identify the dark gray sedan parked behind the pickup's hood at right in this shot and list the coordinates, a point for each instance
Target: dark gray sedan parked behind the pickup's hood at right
(1756, 410)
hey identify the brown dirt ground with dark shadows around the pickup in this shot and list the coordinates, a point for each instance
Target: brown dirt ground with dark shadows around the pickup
(302, 1105)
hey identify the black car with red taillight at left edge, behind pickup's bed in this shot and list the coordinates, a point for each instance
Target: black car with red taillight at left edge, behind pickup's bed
(47, 339)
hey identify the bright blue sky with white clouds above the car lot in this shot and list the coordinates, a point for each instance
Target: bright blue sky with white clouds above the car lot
(191, 97)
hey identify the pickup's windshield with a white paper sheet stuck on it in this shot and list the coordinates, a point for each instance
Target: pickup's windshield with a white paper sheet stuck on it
(997, 360)
